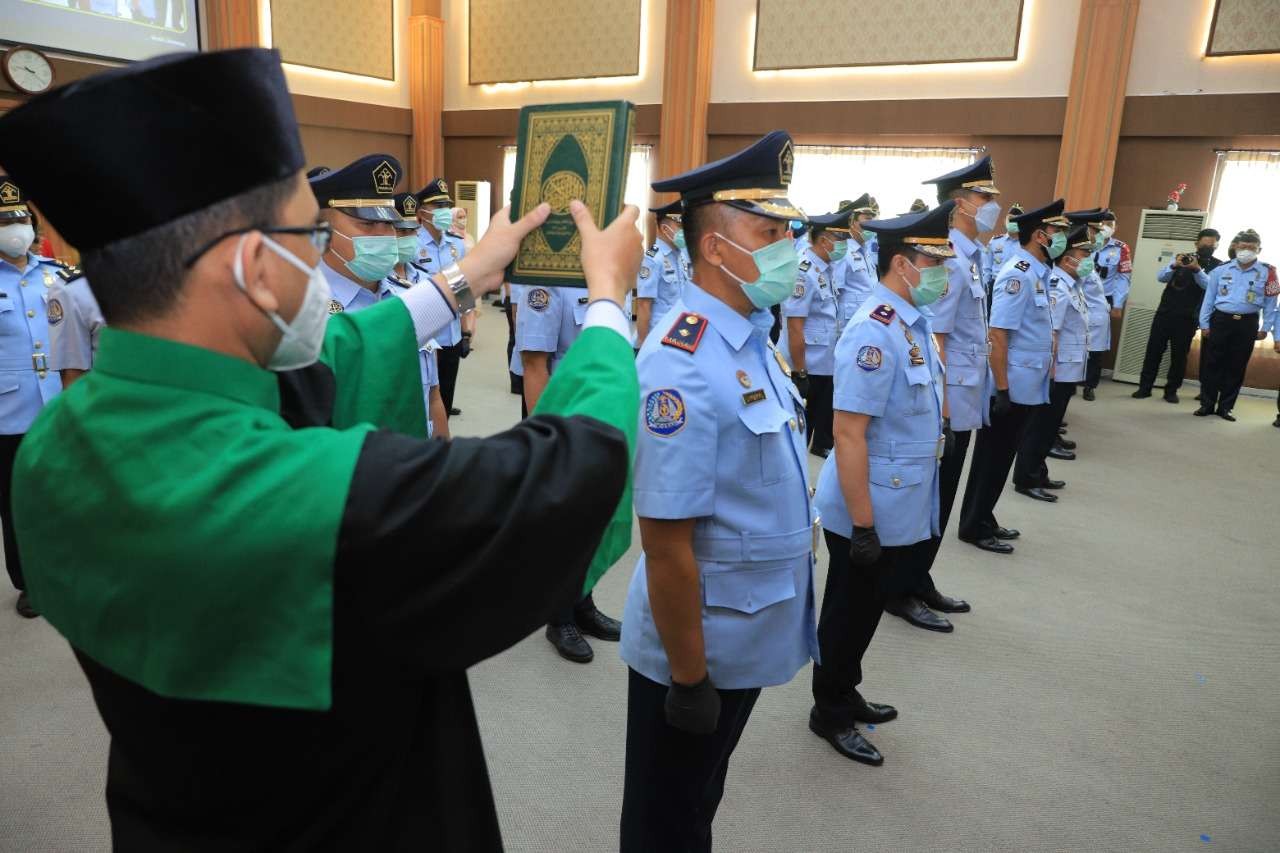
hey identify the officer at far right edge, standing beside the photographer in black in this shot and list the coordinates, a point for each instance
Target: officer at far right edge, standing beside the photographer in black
(1237, 294)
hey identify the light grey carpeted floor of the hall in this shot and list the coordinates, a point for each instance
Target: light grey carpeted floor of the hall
(1116, 687)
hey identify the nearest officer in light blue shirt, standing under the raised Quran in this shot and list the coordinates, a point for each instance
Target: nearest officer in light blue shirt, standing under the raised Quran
(723, 603)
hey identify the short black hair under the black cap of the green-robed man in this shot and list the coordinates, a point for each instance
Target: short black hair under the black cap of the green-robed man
(143, 276)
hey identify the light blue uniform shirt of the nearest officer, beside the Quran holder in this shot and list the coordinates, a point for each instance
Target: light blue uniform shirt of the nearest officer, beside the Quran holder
(723, 441)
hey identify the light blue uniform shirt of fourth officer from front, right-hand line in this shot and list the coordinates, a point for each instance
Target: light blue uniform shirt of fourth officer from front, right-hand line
(1020, 304)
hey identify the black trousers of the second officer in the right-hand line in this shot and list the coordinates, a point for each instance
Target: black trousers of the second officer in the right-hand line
(852, 609)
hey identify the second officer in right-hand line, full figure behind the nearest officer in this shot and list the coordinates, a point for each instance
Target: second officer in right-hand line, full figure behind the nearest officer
(879, 492)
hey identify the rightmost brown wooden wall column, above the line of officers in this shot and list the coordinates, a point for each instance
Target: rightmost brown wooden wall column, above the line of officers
(1095, 104)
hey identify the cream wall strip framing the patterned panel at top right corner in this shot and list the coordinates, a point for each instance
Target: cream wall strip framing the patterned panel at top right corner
(1169, 56)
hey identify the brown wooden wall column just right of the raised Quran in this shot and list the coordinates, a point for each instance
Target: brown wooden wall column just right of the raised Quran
(687, 86)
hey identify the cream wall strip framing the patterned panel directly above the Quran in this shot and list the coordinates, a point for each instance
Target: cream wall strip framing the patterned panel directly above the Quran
(643, 89)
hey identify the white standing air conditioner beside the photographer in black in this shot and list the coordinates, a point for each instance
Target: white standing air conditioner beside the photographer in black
(1162, 236)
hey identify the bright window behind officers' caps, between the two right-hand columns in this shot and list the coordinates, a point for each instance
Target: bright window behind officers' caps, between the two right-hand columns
(826, 175)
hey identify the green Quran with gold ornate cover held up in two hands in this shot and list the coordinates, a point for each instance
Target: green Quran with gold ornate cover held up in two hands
(566, 152)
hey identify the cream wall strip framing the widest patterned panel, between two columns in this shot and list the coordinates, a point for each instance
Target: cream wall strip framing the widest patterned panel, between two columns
(1043, 71)
